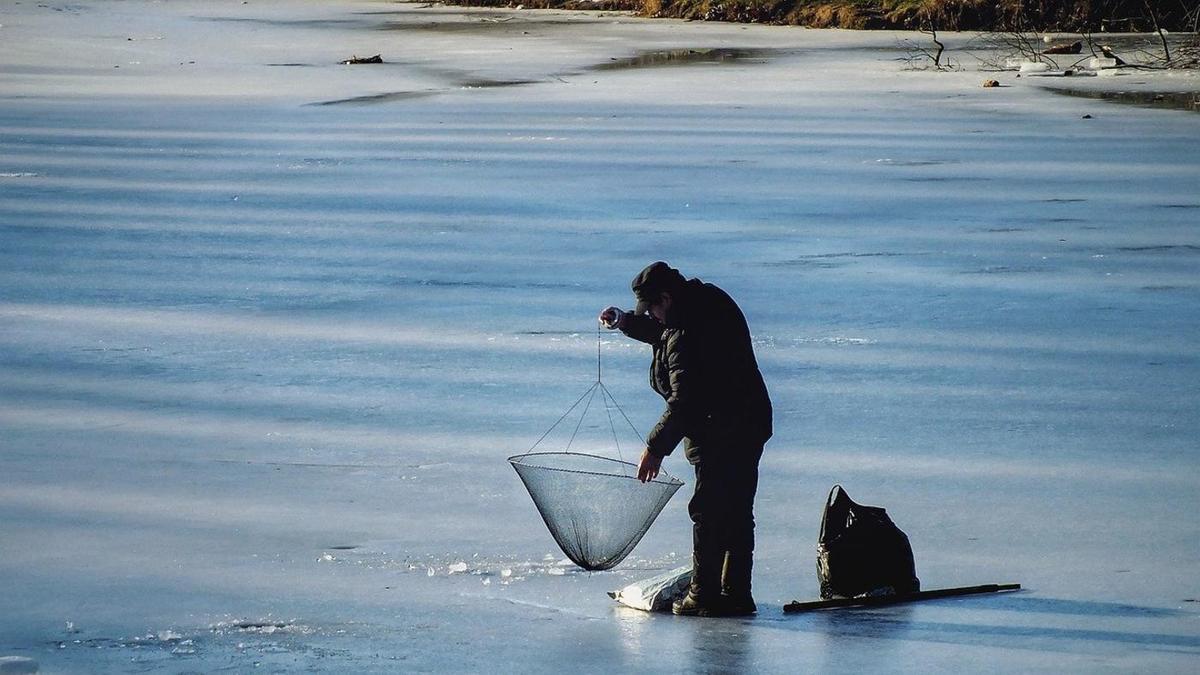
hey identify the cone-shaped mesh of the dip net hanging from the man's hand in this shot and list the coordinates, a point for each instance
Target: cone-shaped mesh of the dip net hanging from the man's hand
(595, 507)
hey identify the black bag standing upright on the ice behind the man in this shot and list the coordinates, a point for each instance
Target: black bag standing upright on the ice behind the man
(862, 553)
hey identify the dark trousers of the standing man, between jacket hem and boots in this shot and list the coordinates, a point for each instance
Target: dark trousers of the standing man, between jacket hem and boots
(723, 506)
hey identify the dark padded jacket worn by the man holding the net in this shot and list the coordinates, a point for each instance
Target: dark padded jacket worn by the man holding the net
(706, 371)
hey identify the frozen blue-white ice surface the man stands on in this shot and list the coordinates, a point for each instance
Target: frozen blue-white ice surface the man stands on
(265, 359)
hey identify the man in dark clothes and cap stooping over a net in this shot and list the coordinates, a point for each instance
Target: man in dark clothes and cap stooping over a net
(705, 368)
